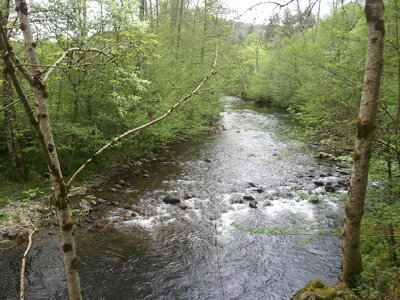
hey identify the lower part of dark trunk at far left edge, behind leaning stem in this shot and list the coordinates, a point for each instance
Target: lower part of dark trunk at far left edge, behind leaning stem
(10, 121)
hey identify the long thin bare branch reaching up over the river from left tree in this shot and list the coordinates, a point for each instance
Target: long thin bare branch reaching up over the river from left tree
(129, 132)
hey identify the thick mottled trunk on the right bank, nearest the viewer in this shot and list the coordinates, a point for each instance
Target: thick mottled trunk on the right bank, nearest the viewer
(354, 209)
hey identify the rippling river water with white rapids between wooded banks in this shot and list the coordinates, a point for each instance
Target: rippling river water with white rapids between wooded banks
(218, 248)
